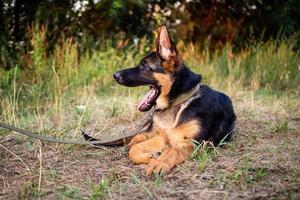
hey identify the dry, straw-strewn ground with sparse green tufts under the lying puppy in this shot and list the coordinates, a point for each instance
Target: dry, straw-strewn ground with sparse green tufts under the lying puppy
(261, 162)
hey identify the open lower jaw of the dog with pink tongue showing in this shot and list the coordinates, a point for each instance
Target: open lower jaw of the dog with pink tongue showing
(149, 99)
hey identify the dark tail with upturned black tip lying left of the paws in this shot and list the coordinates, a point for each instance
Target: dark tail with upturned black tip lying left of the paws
(121, 141)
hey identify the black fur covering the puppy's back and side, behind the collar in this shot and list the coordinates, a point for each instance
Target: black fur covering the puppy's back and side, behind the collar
(215, 113)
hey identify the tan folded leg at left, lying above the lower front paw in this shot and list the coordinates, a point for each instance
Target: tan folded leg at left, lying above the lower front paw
(144, 151)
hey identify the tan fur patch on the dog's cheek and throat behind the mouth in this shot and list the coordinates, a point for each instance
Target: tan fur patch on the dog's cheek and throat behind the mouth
(165, 81)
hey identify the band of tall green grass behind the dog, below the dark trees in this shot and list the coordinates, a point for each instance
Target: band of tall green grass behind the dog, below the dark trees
(51, 81)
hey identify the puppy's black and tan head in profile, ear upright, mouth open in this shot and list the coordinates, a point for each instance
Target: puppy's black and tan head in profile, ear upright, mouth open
(163, 70)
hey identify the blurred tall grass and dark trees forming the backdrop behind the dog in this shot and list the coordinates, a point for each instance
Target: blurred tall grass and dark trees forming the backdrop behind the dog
(52, 49)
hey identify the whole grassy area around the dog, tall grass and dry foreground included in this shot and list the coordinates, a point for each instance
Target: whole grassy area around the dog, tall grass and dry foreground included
(60, 93)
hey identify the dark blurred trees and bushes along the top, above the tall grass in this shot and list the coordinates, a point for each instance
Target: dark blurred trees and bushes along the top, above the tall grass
(90, 23)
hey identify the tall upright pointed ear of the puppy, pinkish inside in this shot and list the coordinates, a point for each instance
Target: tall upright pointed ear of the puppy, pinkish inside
(167, 51)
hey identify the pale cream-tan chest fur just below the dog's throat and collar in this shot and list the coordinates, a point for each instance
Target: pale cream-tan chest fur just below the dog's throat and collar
(166, 119)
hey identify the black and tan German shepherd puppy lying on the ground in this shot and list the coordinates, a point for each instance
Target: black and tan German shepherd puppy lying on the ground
(184, 110)
